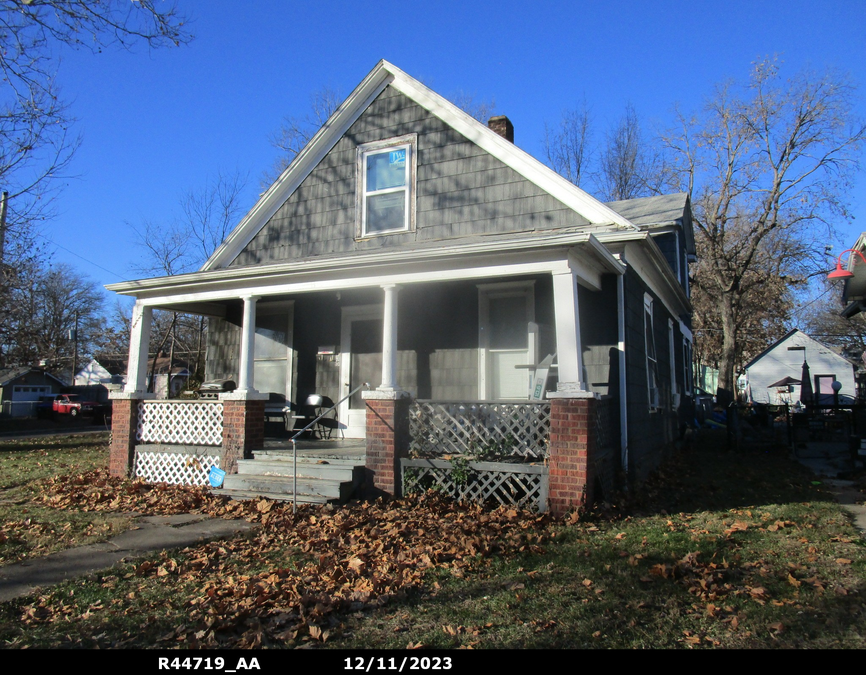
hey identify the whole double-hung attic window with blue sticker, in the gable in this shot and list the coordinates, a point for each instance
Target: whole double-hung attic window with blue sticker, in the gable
(386, 186)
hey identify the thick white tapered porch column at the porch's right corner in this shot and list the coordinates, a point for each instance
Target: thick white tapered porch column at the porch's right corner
(568, 345)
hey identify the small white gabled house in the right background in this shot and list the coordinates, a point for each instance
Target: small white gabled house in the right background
(769, 375)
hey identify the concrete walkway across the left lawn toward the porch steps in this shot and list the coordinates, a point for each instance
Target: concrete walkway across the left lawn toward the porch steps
(149, 533)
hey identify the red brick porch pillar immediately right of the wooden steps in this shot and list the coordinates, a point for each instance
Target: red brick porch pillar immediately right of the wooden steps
(387, 440)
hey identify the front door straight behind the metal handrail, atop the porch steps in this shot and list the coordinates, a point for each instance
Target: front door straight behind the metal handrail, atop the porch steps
(360, 362)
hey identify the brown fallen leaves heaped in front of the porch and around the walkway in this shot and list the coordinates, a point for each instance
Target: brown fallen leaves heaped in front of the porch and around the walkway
(347, 559)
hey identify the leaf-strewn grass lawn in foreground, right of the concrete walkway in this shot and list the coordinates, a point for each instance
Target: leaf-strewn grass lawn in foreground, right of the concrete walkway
(717, 550)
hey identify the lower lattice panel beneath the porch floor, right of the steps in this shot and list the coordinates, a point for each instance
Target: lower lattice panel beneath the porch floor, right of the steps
(522, 485)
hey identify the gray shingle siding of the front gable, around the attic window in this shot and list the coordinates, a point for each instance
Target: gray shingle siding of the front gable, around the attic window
(461, 191)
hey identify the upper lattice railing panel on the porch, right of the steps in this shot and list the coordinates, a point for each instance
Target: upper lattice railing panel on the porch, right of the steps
(483, 429)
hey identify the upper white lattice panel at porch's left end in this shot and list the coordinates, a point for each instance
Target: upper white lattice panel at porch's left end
(180, 422)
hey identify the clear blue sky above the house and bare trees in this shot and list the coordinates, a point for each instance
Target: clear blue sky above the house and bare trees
(156, 124)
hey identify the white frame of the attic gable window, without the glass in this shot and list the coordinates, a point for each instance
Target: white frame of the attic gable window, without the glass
(408, 142)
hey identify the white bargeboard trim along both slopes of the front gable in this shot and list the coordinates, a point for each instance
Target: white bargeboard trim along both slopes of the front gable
(383, 75)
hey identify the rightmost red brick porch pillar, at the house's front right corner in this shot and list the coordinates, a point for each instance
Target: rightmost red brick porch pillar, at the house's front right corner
(572, 445)
